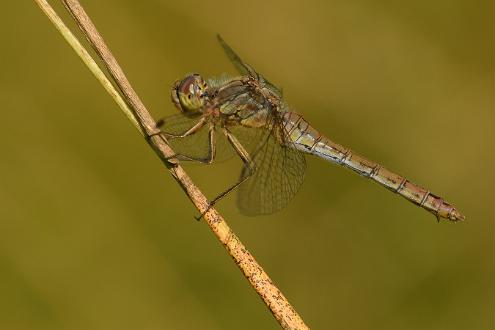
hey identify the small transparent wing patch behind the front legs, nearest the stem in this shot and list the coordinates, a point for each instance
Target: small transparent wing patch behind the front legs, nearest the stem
(197, 145)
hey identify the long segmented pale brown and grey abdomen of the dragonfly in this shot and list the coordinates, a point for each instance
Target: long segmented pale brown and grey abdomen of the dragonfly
(309, 140)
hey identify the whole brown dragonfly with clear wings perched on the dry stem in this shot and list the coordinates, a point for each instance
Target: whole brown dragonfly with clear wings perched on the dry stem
(247, 117)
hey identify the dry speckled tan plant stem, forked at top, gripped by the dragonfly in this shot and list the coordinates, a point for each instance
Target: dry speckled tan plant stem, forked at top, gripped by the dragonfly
(140, 117)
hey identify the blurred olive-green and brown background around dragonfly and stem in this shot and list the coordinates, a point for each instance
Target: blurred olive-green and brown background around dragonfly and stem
(95, 234)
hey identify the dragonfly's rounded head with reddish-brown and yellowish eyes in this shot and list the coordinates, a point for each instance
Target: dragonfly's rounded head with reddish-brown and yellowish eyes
(190, 93)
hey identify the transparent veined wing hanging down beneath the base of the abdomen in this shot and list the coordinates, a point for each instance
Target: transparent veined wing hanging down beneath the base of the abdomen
(279, 171)
